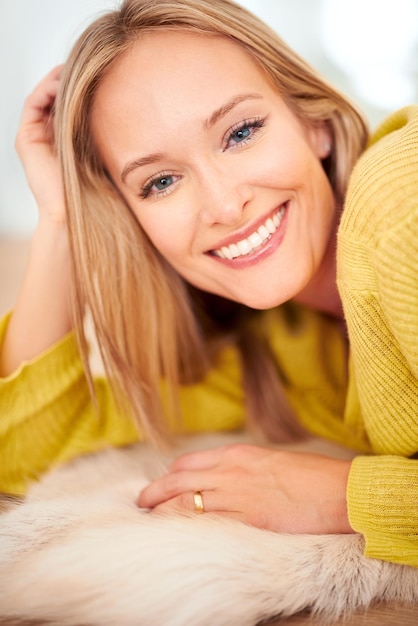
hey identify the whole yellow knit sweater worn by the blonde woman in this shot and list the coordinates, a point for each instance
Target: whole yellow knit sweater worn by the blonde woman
(47, 417)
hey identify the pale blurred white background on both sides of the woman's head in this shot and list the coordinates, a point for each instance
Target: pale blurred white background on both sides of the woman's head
(367, 48)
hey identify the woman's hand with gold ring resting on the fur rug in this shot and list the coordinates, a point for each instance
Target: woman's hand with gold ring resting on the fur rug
(290, 492)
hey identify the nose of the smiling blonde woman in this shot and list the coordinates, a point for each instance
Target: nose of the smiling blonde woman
(224, 194)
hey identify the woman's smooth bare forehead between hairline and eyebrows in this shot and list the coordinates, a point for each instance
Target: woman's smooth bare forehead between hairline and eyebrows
(168, 71)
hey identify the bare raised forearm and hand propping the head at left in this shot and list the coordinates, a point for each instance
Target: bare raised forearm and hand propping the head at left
(42, 314)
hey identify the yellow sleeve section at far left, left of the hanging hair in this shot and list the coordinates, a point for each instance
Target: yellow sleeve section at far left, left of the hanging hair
(47, 415)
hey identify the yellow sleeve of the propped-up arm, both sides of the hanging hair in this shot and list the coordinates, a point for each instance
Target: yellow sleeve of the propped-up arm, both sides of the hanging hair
(47, 415)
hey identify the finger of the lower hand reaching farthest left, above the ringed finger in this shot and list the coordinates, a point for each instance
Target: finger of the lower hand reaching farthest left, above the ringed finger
(174, 484)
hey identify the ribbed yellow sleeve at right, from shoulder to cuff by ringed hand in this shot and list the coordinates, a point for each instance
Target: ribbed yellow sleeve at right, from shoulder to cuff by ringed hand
(378, 281)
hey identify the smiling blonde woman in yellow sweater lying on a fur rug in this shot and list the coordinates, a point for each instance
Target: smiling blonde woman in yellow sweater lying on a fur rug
(209, 223)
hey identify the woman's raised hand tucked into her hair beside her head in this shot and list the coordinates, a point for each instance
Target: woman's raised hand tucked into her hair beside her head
(36, 149)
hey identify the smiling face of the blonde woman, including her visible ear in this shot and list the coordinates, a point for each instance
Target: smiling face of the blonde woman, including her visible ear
(225, 180)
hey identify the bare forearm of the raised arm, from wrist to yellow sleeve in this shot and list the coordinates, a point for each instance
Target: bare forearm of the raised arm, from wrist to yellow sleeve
(42, 314)
